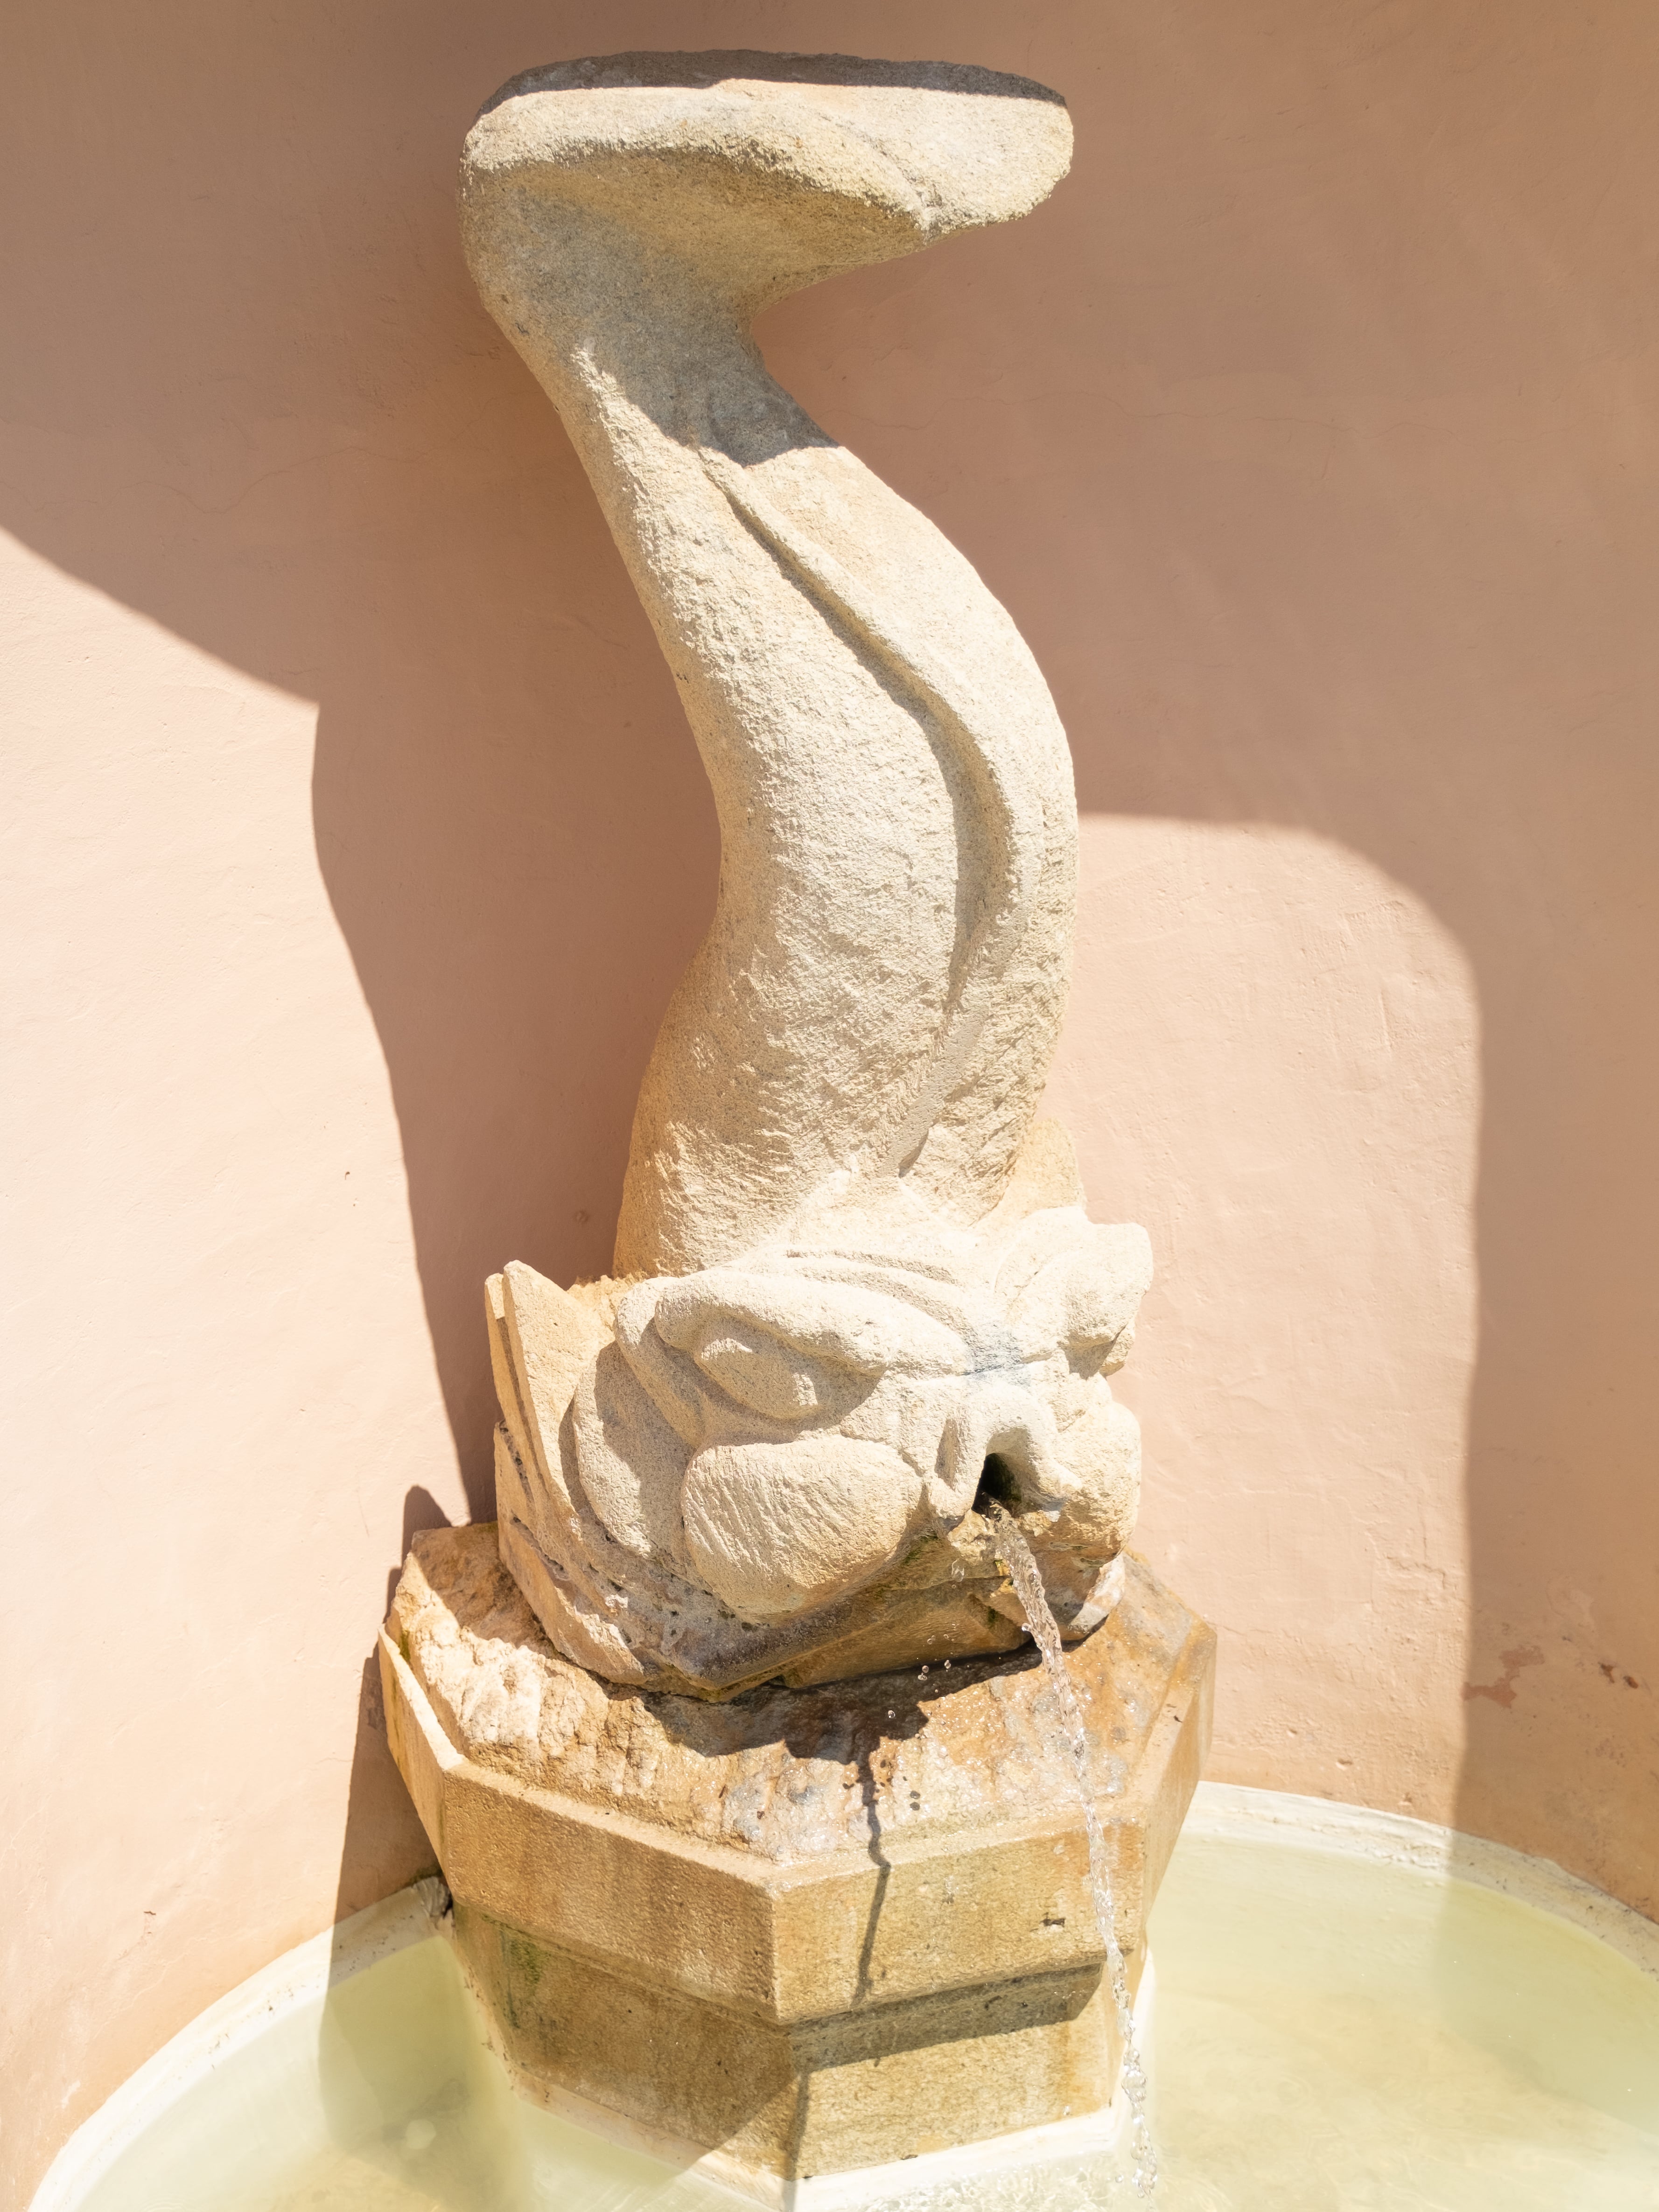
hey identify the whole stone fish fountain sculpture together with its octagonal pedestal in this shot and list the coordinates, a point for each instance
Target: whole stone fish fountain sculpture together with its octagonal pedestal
(855, 1282)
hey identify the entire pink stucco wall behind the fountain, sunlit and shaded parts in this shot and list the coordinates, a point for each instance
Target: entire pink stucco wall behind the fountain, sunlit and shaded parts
(1308, 435)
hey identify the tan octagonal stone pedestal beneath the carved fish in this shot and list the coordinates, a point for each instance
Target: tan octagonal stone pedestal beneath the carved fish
(806, 1930)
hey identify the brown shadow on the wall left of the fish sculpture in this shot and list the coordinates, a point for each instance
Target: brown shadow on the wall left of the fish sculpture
(260, 404)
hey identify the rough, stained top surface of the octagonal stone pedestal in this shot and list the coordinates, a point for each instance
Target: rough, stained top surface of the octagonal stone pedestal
(778, 1773)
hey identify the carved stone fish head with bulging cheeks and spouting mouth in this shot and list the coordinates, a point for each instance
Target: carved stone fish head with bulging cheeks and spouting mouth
(782, 1428)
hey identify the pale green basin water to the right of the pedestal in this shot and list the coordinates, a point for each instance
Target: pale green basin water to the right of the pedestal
(1339, 2036)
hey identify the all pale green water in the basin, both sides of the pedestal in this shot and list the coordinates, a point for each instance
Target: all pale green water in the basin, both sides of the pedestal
(1333, 2036)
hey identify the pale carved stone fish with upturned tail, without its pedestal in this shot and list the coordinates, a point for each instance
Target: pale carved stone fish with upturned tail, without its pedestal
(851, 1273)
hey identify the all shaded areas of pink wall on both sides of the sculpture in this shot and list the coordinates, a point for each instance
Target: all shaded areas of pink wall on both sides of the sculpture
(1322, 488)
